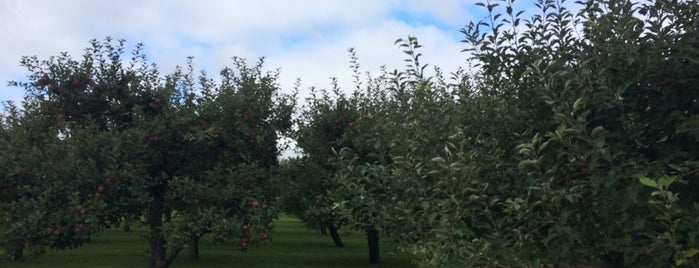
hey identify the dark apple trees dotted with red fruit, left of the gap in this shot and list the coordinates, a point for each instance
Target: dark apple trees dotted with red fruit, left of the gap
(105, 141)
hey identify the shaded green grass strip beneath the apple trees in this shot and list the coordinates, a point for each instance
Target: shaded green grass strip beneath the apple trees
(293, 246)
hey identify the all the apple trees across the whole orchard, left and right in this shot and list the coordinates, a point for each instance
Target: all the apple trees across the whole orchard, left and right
(571, 139)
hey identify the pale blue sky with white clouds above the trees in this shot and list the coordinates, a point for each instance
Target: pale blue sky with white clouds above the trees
(306, 39)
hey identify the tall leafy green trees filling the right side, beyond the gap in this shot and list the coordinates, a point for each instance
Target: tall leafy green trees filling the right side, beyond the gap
(572, 141)
